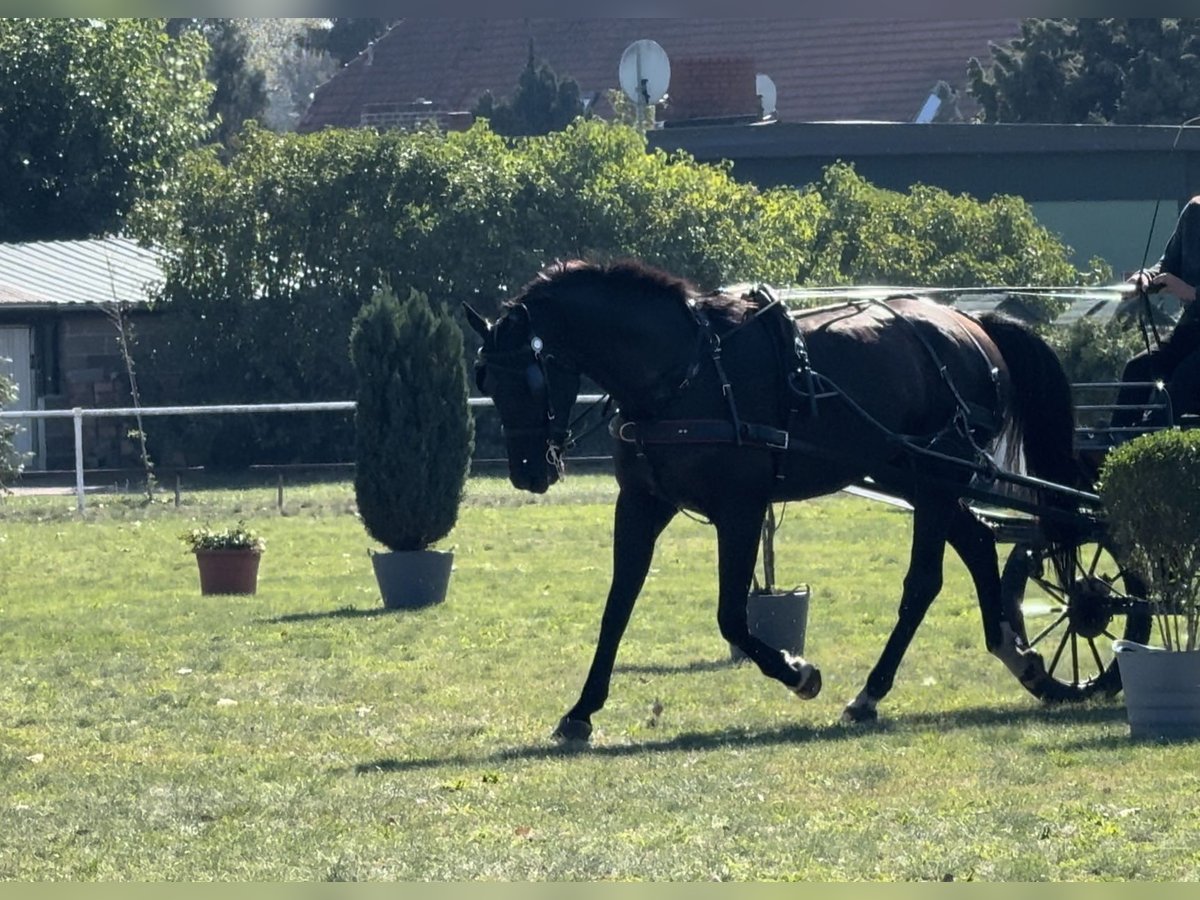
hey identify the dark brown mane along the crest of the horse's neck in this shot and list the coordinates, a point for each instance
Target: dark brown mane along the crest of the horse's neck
(631, 278)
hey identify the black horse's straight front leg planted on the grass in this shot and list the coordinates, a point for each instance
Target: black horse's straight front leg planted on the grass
(640, 520)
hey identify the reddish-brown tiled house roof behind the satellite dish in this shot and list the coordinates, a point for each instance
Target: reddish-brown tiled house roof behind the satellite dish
(824, 70)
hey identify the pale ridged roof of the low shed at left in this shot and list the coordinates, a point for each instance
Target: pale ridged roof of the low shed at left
(87, 272)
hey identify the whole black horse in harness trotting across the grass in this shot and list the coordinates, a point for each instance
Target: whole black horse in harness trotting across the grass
(728, 404)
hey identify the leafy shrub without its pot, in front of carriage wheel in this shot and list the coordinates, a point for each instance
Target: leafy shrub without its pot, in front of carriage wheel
(1151, 493)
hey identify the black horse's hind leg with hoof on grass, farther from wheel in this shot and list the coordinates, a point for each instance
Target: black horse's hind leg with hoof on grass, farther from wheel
(931, 520)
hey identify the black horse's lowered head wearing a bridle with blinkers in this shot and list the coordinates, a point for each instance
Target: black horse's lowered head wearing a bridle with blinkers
(533, 392)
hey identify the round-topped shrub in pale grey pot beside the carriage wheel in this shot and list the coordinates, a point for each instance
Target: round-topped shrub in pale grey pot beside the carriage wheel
(1151, 494)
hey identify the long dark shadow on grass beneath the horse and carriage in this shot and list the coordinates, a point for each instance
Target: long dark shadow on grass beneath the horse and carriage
(746, 739)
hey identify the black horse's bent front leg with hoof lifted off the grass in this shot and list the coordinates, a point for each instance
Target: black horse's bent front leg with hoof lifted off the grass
(737, 541)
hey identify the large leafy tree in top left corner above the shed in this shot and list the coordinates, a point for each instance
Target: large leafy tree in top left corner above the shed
(94, 113)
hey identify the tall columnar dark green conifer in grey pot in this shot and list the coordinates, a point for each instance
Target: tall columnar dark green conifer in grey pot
(415, 436)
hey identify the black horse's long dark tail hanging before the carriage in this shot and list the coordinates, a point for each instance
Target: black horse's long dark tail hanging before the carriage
(1042, 407)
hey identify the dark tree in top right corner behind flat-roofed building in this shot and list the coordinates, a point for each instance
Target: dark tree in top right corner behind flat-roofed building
(1123, 71)
